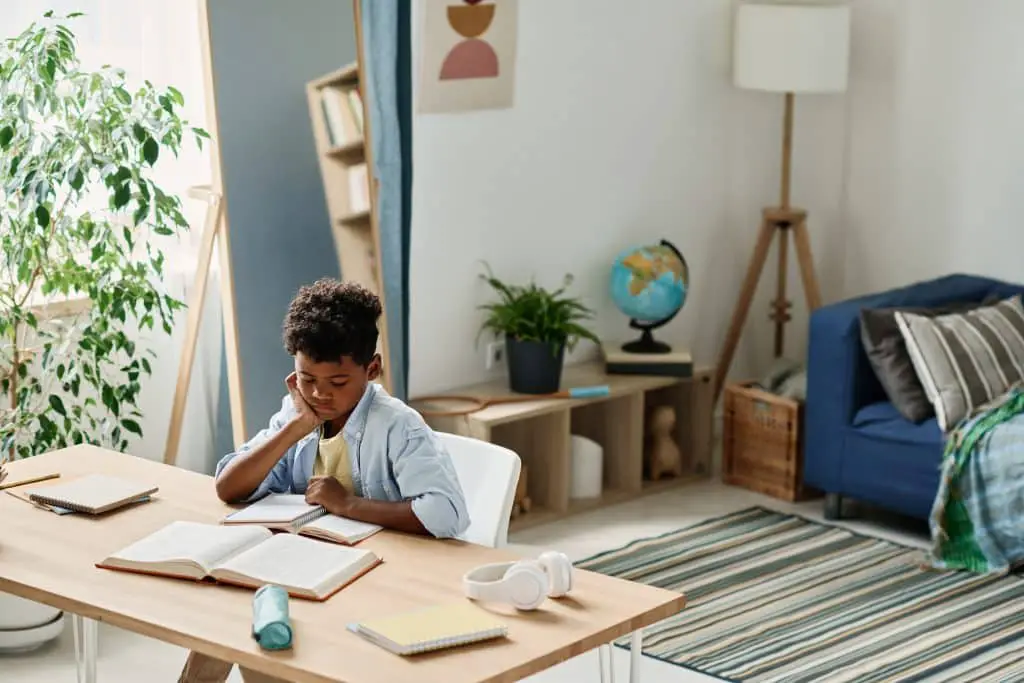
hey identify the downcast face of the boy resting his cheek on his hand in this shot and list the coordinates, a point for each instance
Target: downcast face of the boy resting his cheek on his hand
(334, 389)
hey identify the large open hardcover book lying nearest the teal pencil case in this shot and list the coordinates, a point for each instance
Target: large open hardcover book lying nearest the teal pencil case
(247, 557)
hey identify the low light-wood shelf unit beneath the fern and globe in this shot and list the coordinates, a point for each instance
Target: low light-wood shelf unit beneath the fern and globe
(540, 433)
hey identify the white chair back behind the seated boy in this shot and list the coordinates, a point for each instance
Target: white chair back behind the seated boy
(489, 475)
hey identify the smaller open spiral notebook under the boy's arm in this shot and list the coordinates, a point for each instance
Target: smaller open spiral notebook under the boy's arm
(288, 513)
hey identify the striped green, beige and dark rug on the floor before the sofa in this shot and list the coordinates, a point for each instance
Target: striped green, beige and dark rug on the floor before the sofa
(776, 597)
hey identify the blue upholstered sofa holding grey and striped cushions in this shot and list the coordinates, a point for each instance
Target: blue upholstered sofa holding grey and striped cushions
(857, 444)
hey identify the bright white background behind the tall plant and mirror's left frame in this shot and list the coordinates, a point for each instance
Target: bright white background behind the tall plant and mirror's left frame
(158, 41)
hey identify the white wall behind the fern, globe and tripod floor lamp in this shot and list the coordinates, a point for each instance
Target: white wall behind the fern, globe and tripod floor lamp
(626, 130)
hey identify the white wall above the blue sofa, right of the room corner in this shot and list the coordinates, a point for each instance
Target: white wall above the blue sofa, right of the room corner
(936, 161)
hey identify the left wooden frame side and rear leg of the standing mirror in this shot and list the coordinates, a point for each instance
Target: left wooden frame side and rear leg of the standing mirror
(216, 233)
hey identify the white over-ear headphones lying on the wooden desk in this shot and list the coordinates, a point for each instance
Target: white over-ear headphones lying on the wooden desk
(524, 585)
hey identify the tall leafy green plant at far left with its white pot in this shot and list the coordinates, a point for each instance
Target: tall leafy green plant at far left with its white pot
(81, 221)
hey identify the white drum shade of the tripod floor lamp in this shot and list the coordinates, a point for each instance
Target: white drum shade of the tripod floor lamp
(792, 49)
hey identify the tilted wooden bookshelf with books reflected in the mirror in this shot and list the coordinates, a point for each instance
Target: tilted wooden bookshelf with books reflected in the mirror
(355, 226)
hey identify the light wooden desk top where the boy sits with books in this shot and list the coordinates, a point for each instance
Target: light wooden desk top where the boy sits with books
(51, 560)
